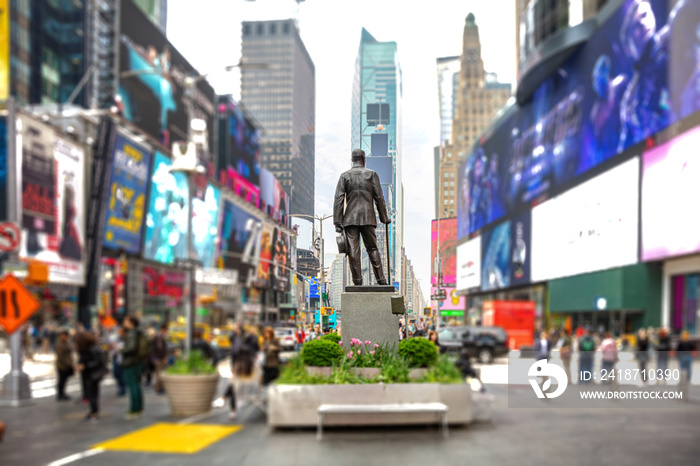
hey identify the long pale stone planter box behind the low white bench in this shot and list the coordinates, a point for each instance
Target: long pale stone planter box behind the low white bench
(297, 405)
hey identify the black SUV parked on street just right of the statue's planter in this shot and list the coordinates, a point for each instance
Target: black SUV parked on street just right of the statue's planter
(483, 343)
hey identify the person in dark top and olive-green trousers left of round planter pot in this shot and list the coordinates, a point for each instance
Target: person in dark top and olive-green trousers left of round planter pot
(134, 353)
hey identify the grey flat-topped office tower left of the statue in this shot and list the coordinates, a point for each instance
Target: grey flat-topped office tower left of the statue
(281, 96)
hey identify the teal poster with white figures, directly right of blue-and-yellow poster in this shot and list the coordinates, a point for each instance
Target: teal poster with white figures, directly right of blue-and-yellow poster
(166, 220)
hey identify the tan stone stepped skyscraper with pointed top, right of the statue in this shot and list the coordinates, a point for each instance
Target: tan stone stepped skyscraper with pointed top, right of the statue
(479, 98)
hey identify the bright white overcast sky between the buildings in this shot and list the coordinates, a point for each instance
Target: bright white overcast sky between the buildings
(207, 33)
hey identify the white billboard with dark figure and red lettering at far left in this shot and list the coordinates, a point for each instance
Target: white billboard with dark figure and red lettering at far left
(53, 202)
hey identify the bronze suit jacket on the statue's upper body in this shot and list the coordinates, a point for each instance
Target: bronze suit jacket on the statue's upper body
(358, 189)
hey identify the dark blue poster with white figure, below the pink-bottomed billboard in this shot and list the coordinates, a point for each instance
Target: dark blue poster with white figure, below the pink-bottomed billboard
(235, 233)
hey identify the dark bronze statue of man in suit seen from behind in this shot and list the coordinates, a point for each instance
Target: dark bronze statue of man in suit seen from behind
(353, 210)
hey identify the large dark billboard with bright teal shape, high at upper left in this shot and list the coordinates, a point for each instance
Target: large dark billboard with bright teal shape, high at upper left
(151, 81)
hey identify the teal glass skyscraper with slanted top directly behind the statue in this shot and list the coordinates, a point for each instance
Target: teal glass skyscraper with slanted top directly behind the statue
(376, 129)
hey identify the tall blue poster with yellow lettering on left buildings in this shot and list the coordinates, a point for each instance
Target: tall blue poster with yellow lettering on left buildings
(126, 205)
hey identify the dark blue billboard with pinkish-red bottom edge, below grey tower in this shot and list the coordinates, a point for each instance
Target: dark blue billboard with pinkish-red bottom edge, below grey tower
(238, 152)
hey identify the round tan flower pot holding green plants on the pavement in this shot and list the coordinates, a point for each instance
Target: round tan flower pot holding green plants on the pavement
(190, 394)
